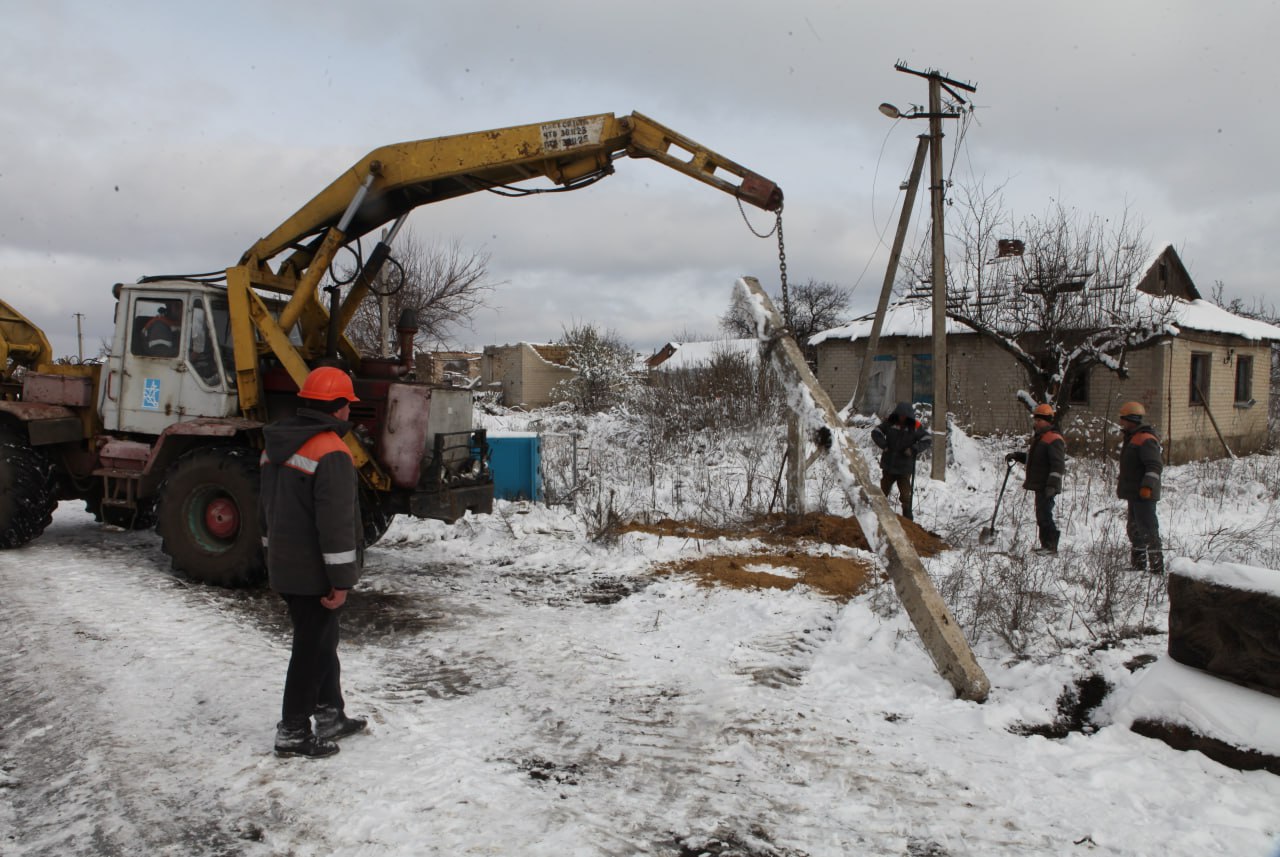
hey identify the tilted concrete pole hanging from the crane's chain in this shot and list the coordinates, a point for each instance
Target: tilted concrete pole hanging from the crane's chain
(811, 404)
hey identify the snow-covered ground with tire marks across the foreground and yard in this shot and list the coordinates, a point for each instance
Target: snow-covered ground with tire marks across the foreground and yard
(534, 691)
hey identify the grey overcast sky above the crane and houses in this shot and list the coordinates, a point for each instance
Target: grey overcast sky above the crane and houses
(166, 138)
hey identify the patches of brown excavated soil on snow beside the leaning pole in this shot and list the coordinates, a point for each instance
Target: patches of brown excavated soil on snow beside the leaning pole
(836, 576)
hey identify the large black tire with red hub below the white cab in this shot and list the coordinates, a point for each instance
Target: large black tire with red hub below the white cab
(208, 520)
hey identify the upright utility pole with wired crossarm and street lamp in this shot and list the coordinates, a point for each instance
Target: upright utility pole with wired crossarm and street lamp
(938, 195)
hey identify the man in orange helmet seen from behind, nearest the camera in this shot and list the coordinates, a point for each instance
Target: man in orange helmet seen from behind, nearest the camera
(314, 552)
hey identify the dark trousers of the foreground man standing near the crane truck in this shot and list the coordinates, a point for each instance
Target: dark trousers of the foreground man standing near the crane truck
(314, 676)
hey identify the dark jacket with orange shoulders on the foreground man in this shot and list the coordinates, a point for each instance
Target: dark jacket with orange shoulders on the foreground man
(310, 507)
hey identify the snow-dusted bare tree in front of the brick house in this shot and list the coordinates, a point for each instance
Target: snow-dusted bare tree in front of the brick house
(1059, 297)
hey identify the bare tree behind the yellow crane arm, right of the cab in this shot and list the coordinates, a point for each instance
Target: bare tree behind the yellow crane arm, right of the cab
(444, 285)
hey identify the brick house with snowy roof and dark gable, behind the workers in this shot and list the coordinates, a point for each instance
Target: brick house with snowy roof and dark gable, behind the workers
(1206, 388)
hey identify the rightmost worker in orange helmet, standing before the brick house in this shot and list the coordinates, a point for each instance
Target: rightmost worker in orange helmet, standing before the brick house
(1139, 484)
